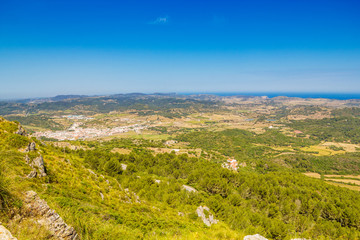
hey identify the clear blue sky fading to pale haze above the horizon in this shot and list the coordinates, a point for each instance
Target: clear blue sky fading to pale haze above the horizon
(102, 47)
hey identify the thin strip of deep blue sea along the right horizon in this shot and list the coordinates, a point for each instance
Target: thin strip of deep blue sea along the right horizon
(339, 96)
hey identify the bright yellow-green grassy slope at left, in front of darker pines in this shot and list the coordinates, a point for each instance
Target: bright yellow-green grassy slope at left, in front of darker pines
(96, 205)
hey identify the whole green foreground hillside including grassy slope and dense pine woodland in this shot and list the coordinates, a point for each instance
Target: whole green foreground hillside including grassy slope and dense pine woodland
(105, 195)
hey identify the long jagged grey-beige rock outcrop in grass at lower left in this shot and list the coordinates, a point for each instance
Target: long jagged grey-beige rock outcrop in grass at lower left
(48, 218)
